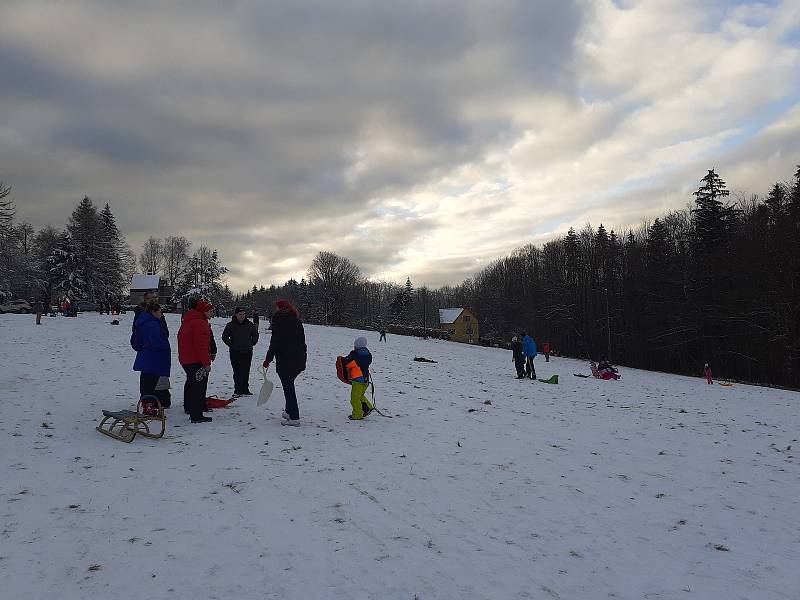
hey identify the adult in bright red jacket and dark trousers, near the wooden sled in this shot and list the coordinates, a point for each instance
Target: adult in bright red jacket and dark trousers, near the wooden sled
(194, 342)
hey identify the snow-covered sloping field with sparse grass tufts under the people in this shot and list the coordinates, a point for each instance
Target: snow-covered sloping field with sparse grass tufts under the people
(480, 487)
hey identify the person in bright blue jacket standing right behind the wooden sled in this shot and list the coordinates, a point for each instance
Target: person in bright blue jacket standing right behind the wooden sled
(153, 353)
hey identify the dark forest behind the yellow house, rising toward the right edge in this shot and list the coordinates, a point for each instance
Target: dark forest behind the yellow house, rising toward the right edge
(717, 282)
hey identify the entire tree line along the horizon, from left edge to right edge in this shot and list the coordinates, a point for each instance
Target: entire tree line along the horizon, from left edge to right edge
(717, 282)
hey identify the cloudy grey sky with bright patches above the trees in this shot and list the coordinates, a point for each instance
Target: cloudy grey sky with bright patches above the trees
(419, 139)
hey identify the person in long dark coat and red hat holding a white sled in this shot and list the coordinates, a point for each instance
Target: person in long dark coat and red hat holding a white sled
(288, 348)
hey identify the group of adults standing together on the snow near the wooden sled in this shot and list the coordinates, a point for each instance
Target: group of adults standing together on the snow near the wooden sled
(197, 350)
